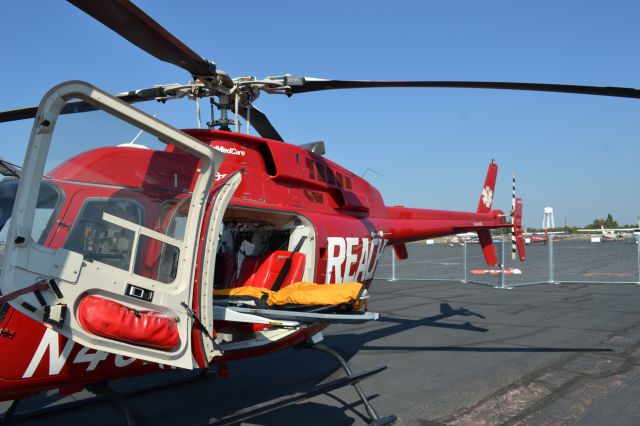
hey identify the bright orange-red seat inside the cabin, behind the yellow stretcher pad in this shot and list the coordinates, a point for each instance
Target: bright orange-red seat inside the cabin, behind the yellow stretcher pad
(268, 271)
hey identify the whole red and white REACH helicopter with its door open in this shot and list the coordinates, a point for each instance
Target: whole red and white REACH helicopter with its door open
(121, 260)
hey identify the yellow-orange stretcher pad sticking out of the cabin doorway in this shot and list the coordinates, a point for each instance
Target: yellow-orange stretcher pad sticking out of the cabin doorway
(310, 294)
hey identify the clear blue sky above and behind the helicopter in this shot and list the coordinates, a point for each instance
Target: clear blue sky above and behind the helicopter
(578, 154)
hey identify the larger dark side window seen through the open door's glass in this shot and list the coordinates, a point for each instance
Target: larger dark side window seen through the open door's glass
(103, 241)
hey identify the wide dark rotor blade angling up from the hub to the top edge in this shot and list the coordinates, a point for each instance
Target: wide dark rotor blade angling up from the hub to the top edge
(132, 23)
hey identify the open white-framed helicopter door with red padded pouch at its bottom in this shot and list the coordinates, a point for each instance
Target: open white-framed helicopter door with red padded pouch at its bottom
(122, 280)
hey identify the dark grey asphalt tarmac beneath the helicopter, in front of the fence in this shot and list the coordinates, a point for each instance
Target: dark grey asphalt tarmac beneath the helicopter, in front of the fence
(456, 354)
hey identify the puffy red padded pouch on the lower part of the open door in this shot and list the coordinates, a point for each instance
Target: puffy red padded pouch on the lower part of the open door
(110, 319)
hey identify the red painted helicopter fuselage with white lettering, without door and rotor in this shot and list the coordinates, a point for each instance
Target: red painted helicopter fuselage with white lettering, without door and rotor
(352, 226)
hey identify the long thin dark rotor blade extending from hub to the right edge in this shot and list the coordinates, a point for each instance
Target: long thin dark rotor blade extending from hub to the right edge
(301, 85)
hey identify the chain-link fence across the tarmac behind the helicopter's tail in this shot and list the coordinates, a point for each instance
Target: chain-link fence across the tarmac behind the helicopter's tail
(556, 259)
